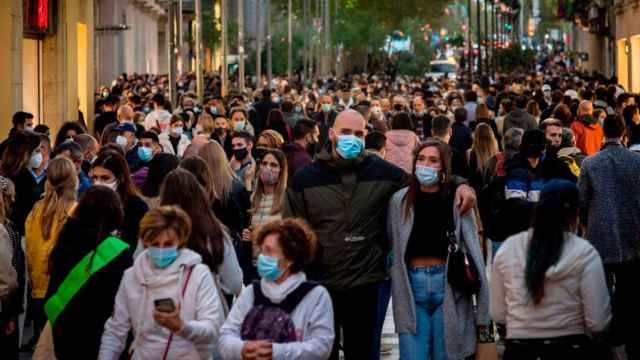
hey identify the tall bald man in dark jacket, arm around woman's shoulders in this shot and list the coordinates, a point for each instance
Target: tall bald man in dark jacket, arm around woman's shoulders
(344, 196)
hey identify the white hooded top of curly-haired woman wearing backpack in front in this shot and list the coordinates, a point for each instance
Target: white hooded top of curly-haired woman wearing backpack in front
(312, 318)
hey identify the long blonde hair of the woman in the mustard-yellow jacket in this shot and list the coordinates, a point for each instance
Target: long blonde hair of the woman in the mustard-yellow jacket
(60, 192)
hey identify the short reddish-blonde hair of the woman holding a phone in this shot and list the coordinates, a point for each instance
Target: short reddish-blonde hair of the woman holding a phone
(164, 218)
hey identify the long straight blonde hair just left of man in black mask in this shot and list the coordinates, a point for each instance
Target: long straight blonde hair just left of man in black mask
(223, 175)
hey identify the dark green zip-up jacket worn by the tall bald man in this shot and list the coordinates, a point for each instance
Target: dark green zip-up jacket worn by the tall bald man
(345, 202)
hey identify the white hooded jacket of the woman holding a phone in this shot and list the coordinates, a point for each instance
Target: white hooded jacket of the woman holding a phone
(200, 309)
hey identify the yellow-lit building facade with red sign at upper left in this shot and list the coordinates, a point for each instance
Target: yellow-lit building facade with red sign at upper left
(47, 63)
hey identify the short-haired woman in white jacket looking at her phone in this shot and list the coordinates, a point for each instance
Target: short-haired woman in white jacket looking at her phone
(168, 298)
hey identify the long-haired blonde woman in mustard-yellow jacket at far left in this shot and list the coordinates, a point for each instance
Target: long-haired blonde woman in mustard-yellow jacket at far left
(42, 227)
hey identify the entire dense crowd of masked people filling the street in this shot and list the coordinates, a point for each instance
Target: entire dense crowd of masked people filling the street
(278, 223)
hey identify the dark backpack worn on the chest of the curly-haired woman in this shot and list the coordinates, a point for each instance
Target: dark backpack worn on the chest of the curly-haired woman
(272, 322)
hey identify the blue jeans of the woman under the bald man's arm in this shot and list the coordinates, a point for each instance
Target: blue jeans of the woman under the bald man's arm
(427, 286)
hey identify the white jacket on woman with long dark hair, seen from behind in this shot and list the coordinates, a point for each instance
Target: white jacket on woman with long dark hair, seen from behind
(576, 300)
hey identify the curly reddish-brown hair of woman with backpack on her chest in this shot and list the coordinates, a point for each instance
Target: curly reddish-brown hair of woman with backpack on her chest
(298, 241)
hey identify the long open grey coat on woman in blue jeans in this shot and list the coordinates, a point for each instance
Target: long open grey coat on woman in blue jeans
(460, 321)
